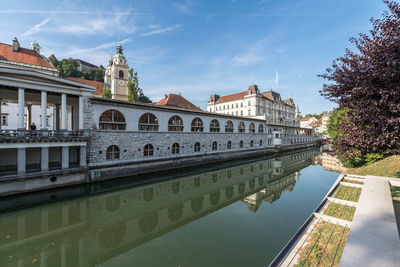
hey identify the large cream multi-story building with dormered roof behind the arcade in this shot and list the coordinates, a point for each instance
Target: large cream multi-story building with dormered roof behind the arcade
(252, 103)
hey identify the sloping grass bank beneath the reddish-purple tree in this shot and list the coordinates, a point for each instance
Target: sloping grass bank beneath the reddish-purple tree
(388, 167)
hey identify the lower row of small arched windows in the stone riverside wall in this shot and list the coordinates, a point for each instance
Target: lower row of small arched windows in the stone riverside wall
(113, 151)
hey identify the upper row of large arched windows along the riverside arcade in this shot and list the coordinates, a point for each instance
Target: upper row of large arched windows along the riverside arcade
(114, 120)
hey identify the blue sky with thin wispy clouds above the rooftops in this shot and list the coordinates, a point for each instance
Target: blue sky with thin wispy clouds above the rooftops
(198, 48)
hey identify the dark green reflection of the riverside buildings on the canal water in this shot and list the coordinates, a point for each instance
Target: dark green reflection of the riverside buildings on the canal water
(91, 230)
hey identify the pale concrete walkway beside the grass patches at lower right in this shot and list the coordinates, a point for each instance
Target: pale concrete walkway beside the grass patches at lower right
(373, 239)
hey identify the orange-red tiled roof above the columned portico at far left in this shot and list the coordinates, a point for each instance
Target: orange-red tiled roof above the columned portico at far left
(25, 56)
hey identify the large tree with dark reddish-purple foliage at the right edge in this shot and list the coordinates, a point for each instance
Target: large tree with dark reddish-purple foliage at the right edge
(366, 84)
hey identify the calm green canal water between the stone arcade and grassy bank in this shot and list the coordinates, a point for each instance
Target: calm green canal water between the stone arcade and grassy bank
(230, 214)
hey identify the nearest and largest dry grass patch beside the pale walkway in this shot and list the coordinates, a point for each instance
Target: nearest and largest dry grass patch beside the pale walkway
(324, 246)
